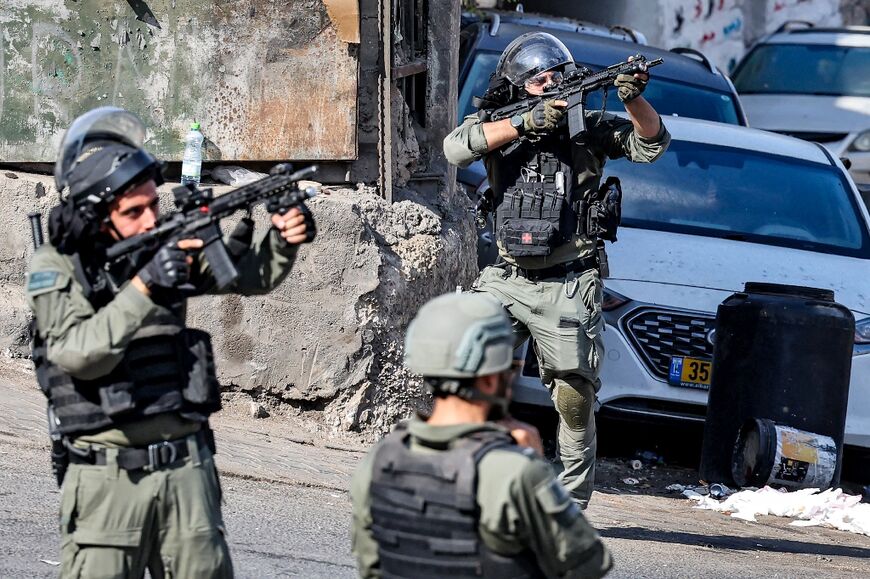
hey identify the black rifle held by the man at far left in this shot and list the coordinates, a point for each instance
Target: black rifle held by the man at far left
(199, 214)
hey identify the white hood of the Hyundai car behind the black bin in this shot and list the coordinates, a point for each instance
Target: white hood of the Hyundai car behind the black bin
(698, 273)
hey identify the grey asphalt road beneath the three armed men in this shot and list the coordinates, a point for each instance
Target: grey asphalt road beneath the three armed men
(288, 515)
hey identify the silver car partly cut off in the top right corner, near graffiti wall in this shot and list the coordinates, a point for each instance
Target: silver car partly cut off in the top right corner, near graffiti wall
(814, 84)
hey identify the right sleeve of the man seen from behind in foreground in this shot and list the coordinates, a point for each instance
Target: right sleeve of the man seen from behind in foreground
(529, 509)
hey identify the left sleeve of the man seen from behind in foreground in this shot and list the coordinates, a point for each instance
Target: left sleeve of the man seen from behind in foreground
(363, 543)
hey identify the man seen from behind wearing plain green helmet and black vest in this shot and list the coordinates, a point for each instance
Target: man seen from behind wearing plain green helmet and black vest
(455, 495)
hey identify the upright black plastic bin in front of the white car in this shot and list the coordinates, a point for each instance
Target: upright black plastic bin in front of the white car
(782, 353)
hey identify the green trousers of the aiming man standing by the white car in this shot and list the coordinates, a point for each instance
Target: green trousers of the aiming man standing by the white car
(564, 318)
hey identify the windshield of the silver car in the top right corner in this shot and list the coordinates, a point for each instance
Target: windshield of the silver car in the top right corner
(805, 69)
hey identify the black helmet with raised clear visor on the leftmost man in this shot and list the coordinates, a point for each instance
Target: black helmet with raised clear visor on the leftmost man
(101, 157)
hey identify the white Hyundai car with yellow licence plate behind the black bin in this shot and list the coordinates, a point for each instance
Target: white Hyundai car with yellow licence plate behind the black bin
(724, 205)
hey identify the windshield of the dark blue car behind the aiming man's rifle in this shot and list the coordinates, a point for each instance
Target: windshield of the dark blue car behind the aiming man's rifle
(667, 97)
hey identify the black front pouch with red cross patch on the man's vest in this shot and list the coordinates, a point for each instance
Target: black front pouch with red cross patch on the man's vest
(534, 218)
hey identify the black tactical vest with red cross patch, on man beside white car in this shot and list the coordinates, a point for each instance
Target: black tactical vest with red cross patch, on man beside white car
(538, 205)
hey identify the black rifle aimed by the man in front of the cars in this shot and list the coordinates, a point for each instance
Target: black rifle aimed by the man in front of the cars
(578, 82)
